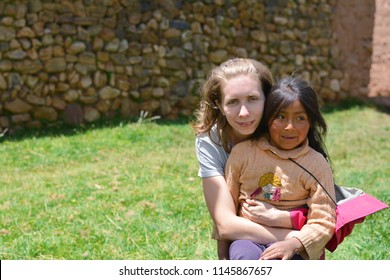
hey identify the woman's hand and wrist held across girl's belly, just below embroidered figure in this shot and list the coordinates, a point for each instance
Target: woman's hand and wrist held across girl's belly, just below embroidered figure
(265, 214)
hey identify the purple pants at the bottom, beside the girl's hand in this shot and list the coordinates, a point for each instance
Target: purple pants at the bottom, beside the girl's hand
(250, 250)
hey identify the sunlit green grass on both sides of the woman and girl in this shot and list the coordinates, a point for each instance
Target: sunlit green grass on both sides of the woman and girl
(131, 191)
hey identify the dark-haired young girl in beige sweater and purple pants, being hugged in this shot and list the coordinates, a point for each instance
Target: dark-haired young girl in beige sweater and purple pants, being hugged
(281, 167)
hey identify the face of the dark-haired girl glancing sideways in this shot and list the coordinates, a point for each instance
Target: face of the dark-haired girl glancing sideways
(290, 127)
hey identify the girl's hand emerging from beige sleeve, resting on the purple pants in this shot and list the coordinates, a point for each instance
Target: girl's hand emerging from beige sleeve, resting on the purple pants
(282, 250)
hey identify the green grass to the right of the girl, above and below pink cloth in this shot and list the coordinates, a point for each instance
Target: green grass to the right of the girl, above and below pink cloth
(358, 142)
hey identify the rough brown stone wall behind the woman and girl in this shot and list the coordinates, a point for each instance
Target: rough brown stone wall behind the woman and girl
(83, 60)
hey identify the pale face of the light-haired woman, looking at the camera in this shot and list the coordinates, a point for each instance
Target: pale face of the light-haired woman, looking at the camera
(242, 105)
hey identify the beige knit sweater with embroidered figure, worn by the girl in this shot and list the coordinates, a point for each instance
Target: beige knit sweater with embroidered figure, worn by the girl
(256, 167)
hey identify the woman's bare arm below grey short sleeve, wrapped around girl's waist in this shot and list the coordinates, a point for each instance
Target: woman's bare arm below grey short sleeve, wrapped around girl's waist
(230, 226)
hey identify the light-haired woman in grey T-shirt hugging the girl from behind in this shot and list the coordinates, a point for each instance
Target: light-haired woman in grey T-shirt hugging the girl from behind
(231, 109)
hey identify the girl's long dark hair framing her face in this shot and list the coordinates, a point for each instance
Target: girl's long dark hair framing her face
(285, 92)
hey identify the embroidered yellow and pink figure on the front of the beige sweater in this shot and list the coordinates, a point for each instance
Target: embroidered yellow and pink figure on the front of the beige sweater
(270, 186)
